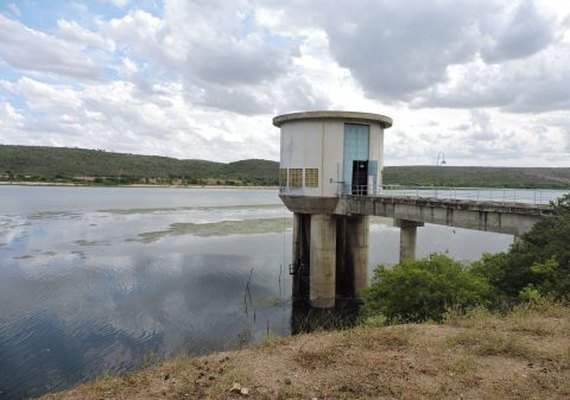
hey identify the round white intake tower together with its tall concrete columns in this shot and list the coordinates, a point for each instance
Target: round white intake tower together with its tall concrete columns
(327, 156)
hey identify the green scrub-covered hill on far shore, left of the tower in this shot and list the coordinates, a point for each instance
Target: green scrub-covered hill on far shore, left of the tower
(60, 164)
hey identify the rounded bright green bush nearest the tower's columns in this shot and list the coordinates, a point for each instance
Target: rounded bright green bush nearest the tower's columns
(420, 290)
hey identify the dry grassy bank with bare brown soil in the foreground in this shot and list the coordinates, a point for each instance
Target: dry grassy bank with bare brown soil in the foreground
(523, 355)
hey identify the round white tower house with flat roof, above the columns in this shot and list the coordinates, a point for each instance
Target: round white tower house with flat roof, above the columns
(331, 153)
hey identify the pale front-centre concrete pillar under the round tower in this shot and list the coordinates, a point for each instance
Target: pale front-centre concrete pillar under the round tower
(323, 261)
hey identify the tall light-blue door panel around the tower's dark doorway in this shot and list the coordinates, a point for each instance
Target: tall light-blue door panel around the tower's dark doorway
(356, 148)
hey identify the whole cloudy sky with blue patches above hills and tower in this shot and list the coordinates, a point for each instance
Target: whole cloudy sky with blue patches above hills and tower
(487, 82)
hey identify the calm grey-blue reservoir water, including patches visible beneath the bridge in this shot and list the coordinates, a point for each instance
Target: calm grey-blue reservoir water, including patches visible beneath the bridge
(104, 280)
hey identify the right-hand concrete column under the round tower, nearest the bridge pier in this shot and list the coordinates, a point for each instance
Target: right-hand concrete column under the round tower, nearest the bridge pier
(357, 234)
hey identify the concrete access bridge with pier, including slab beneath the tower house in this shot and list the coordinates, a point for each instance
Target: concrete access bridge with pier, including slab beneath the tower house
(411, 212)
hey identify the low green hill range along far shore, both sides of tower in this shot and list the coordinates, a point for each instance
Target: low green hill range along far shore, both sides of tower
(57, 164)
